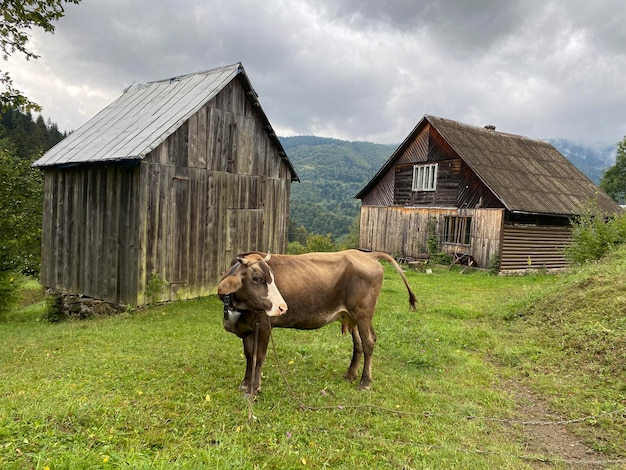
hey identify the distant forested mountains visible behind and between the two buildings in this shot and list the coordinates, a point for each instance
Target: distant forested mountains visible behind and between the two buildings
(333, 171)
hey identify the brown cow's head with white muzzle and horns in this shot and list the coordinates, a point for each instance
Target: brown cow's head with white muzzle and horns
(250, 284)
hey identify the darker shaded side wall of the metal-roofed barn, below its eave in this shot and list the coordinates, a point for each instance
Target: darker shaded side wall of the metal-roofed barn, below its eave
(90, 231)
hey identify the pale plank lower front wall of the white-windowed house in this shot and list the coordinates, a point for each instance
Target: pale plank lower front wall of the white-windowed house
(404, 231)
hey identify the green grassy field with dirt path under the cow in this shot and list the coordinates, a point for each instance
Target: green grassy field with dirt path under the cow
(460, 383)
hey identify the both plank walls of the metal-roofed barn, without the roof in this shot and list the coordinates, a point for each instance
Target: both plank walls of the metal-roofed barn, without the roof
(216, 186)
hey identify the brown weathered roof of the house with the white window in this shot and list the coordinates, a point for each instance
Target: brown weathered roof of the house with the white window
(526, 175)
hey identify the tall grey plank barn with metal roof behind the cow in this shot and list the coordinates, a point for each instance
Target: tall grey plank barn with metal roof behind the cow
(160, 189)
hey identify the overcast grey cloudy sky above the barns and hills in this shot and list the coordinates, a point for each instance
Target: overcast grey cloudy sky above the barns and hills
(353, 69)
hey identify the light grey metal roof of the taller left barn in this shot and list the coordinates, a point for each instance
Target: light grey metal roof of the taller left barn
(144, 116)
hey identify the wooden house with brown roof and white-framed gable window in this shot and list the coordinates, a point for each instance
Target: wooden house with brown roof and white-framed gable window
(482, 193)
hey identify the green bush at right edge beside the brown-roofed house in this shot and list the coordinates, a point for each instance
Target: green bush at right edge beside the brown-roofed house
(594, 235)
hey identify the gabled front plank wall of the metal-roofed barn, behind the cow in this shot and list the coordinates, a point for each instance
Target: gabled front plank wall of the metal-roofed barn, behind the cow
(215, 188)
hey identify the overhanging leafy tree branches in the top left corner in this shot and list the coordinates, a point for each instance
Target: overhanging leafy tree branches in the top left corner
(16, 19)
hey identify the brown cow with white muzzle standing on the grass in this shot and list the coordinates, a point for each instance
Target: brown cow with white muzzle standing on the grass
(304, 292)
